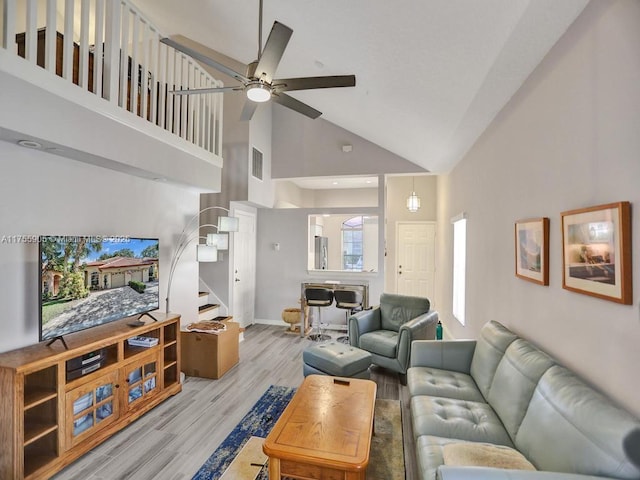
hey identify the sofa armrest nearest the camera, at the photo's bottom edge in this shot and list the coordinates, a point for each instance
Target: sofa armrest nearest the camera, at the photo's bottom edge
(487, 473)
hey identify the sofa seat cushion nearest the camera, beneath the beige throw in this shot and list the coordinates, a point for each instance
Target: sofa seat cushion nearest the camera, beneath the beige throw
(431, 454)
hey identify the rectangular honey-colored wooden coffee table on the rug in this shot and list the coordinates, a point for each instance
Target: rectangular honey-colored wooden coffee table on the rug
(325, 431)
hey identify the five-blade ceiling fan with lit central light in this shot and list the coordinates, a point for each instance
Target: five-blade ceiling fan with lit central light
(258, 82)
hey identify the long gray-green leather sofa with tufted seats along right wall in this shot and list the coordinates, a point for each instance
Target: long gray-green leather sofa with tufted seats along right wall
(502, 391)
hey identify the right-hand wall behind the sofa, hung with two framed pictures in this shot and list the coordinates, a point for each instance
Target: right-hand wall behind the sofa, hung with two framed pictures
(568, 139)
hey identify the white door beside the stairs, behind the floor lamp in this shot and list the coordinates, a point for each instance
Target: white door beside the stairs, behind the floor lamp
(244, 269)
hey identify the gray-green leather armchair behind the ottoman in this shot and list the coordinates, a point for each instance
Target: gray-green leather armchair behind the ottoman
(386, 331)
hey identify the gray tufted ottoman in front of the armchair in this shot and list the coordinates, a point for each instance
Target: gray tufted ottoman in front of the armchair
(336, 359)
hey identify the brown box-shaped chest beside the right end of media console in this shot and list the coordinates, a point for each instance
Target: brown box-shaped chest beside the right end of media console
(210, 355)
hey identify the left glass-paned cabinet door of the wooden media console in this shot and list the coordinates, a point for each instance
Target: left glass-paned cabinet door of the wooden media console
(91, 406)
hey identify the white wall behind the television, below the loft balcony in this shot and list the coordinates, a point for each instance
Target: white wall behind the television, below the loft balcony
(44, 194)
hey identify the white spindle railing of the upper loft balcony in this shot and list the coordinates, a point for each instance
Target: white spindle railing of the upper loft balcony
(105, 47)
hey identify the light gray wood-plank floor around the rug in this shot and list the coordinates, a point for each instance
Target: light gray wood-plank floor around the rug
(172, 441)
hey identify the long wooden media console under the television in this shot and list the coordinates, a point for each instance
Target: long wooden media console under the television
(49, 417)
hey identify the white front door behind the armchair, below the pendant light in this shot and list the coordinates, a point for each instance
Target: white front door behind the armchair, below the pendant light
(415, 258)
